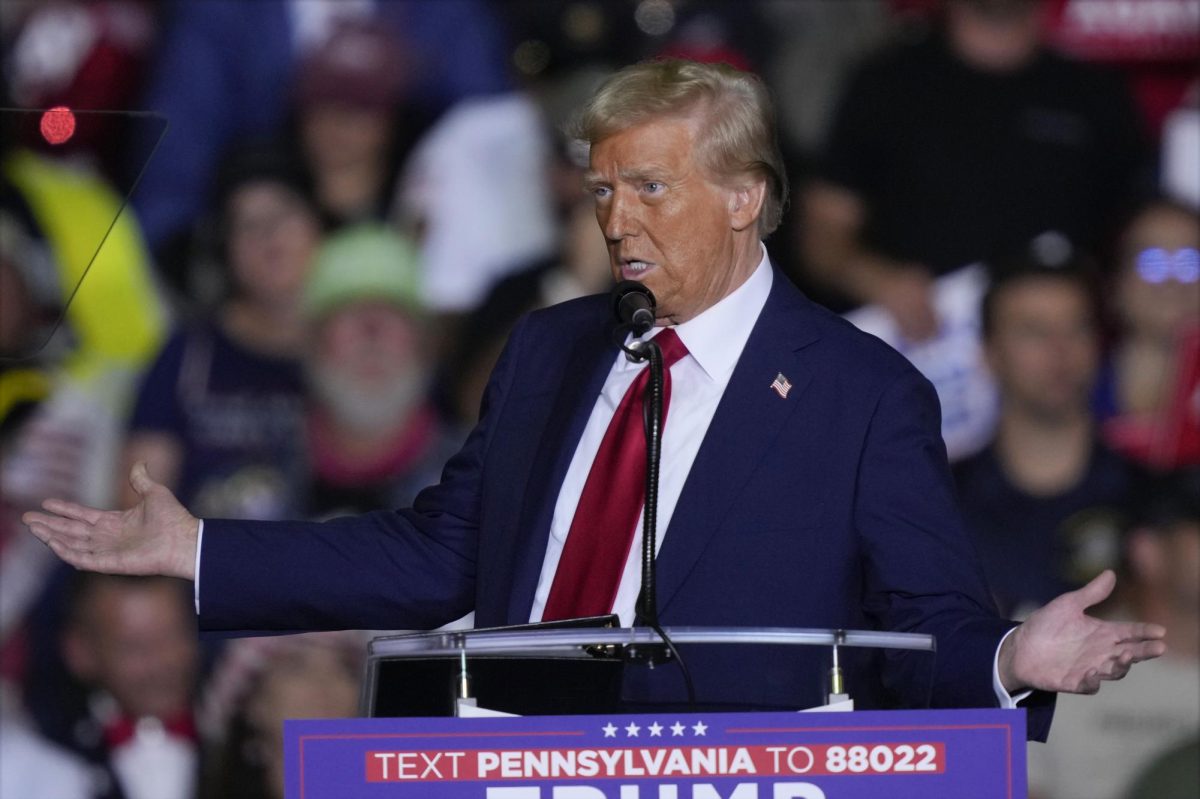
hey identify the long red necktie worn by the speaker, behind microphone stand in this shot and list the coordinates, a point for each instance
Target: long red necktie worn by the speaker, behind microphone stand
(607, 518)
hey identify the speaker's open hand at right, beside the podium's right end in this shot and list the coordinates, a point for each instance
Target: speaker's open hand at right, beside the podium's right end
(1061, 648)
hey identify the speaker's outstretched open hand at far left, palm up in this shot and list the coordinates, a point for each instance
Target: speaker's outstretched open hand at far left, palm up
(157, 537)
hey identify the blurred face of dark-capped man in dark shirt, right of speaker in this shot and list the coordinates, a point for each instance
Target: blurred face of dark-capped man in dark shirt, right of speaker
(1043, 350)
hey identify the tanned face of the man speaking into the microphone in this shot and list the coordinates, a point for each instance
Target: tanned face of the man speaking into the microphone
(668, 224)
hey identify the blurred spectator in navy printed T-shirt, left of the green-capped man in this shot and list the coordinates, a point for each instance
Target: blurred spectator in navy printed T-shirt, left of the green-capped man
(219, 417)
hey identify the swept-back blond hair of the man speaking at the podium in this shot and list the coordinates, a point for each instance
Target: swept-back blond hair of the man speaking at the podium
(737, 140)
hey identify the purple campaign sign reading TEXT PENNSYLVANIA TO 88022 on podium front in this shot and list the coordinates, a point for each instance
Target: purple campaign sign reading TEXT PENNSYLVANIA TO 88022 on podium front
(863, 755)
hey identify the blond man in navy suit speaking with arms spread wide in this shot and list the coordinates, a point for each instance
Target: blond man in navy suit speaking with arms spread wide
(805, 480)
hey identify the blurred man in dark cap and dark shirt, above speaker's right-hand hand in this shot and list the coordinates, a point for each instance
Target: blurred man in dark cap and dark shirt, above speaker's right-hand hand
(1043, 501)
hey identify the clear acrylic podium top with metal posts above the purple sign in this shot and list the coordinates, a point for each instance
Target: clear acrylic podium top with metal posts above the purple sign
(538, 671)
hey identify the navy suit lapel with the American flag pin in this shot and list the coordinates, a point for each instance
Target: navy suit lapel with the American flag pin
(747, 424)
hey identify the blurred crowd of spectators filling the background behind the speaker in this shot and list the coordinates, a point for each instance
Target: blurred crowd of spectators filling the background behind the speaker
(283, 275)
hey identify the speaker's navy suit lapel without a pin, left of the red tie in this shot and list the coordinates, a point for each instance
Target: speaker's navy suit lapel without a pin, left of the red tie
(584, 377)
